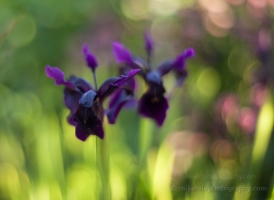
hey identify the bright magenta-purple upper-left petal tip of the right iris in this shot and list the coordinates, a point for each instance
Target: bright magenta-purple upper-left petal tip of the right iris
(121, 54)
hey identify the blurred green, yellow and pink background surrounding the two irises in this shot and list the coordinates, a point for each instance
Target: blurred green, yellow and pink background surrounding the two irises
(219, 128)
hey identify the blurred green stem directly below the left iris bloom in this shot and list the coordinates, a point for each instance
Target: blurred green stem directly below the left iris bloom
(102, 150)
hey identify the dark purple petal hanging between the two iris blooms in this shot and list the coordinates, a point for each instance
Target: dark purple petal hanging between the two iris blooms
(119, 99)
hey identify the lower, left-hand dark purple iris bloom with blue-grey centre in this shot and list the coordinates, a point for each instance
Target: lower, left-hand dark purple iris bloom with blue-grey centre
(86, 103)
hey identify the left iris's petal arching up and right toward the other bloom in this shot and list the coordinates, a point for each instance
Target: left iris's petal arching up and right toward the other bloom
(114, 83)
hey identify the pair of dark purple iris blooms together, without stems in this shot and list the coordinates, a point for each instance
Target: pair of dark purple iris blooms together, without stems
(86, 102)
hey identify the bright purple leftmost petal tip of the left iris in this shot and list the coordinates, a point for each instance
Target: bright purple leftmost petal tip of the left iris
(56, 74)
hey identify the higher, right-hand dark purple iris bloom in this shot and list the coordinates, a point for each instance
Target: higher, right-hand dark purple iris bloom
(153, 104)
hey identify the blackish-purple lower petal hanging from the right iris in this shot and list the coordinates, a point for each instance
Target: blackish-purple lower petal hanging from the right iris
(154, 107)
